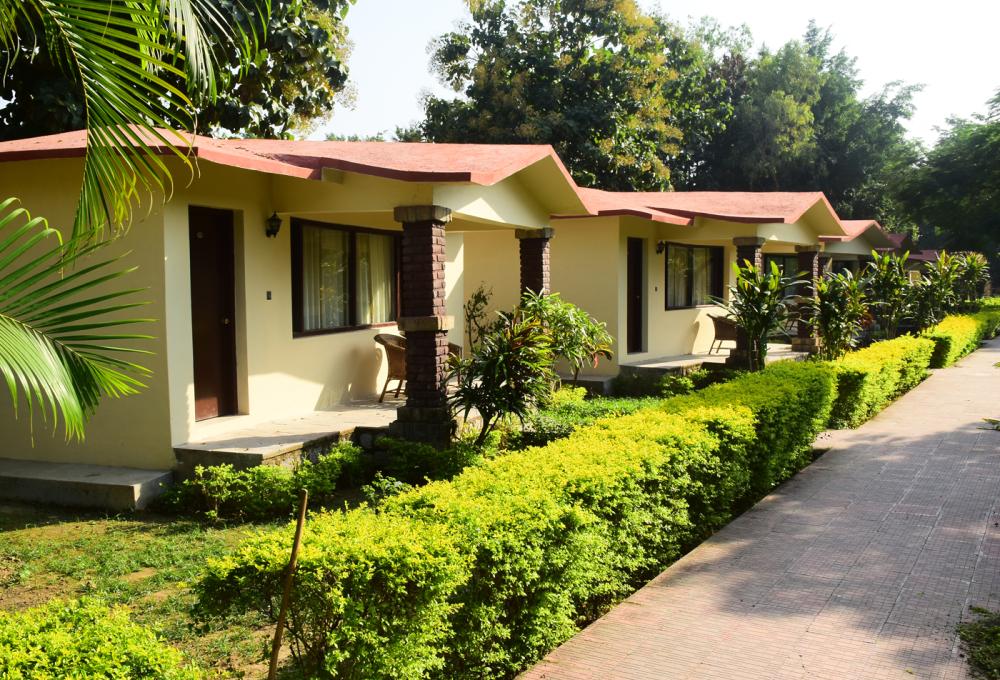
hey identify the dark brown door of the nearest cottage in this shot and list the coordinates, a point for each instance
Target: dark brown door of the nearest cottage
(212, 317)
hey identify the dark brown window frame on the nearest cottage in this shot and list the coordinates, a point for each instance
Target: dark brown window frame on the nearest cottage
(298, 313)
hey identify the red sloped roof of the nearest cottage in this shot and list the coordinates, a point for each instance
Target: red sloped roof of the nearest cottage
(483, 164)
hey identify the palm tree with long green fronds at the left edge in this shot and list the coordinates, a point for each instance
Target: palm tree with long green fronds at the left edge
(61, 331)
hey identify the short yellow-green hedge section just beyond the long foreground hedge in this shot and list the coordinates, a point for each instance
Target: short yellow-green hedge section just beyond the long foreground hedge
(869, 379)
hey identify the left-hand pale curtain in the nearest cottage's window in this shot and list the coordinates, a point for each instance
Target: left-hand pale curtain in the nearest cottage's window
(324, 278)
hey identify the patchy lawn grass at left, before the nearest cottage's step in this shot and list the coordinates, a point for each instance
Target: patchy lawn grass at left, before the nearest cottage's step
(145, 562)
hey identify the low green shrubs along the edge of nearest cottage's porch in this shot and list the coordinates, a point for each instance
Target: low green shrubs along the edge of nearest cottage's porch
(266, 491)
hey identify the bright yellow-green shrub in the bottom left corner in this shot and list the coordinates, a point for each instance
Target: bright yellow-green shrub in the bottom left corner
(84, 639)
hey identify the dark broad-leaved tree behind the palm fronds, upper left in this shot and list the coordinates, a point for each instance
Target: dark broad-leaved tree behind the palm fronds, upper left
(285, 83)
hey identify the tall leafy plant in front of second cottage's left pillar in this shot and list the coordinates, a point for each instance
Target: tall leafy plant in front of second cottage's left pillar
(759, 303)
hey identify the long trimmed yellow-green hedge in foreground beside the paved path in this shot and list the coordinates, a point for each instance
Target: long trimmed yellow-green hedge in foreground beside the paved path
(480, 576)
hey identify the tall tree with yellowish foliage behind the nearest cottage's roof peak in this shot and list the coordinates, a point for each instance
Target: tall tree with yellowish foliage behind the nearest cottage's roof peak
(587, 76)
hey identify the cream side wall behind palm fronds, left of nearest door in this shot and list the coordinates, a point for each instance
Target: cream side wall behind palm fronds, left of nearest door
(133, 431)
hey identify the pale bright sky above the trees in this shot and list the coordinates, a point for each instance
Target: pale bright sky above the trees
(950, 48)
